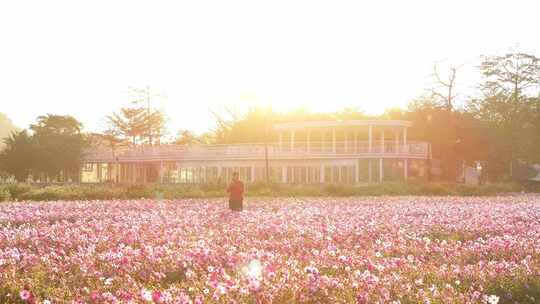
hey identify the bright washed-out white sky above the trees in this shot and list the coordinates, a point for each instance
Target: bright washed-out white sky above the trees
(80, 57)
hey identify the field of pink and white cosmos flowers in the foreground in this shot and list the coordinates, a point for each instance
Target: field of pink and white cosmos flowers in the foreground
(324, 250)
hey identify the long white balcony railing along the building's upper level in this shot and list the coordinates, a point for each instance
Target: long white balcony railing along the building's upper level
(253, 151)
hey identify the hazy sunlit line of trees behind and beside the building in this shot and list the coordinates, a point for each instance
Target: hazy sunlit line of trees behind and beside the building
(500, 126)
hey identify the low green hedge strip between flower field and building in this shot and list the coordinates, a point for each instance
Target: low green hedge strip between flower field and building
(25, 192)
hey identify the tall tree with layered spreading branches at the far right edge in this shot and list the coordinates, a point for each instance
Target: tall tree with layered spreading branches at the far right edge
(509, 110)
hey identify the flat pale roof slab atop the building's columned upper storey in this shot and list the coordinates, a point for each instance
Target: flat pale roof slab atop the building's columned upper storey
(341, 123)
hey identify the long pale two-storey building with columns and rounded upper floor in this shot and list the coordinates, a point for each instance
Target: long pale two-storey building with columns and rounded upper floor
(311, 152)
